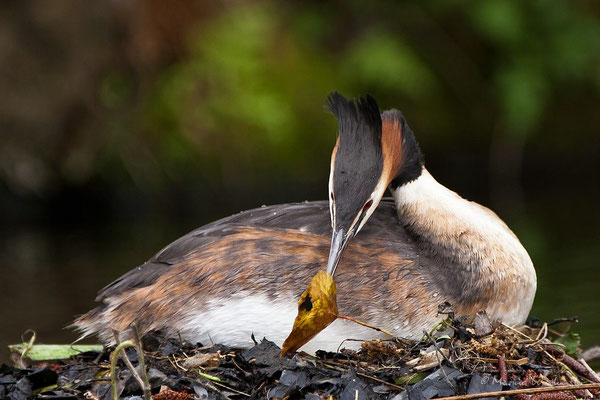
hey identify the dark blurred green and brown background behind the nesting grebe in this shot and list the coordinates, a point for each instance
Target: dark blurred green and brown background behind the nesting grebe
(125, 124)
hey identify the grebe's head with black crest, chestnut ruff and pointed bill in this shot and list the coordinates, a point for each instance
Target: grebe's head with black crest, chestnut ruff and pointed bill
(373, 150)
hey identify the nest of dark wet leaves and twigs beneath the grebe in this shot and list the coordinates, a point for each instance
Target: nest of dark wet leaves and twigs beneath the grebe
(460, 358)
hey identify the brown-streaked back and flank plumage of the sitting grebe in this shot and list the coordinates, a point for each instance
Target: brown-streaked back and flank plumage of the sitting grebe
(269, 254)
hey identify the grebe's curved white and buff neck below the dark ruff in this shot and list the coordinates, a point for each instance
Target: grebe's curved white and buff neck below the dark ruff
(469, 244)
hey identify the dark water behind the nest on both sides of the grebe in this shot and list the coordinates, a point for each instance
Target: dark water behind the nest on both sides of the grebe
(51, 274)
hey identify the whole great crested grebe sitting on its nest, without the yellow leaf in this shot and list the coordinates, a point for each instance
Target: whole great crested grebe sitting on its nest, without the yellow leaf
(242, 275)
